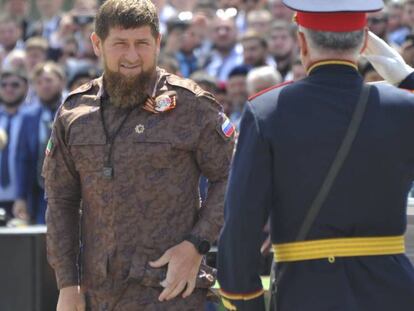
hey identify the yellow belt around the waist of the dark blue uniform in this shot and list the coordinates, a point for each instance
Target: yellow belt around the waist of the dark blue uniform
(338, 247)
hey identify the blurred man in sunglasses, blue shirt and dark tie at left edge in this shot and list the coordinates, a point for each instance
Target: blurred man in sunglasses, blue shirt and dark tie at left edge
(13, 89)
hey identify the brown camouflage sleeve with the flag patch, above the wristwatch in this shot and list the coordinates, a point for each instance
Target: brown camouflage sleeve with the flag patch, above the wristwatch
(213, 155)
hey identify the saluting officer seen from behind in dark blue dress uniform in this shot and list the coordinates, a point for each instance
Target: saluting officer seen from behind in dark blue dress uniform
(352, 255)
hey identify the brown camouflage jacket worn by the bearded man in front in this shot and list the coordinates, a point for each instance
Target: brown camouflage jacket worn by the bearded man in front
(152, 201)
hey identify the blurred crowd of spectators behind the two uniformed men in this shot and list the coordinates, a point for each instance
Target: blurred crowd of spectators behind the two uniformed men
(232, 48)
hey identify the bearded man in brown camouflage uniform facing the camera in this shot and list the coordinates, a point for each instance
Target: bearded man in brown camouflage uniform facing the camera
(129, 148)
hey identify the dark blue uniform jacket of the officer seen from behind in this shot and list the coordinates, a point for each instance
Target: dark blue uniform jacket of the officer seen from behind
(289, 136)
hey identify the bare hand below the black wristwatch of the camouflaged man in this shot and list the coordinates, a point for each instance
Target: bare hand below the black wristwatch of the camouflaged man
(183, 264)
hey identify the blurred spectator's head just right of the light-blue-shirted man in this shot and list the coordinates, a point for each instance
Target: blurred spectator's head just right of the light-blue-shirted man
(255, 51)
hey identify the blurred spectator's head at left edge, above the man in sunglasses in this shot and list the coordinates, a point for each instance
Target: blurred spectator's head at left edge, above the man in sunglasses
(11, 34)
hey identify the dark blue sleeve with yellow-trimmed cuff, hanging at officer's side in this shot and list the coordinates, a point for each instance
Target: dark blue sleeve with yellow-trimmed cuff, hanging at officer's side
(247, 205)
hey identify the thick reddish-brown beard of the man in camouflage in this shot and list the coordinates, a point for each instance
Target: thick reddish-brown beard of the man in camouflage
(127, 92)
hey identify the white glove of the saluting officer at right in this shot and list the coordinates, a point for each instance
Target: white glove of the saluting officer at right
(386, 60)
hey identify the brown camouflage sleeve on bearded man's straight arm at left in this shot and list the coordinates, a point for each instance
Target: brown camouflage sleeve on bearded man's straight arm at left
(63, 194)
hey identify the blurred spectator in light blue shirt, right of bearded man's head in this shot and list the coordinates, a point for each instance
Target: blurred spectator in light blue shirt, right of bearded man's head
(226, 53)
